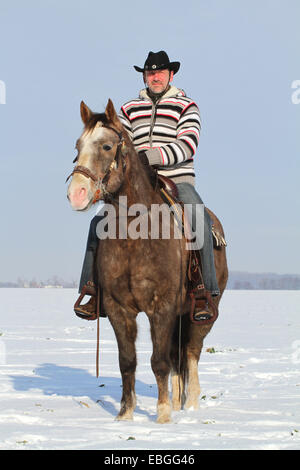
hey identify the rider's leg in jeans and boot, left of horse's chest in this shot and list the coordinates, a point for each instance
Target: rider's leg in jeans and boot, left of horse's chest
(87, 284)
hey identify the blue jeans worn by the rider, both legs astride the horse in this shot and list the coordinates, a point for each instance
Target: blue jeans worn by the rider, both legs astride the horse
(188, 195)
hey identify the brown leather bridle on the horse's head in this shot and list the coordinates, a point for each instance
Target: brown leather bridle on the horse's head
(101, 181)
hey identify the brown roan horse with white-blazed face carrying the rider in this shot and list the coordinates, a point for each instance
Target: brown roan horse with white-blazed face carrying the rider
(142, 274)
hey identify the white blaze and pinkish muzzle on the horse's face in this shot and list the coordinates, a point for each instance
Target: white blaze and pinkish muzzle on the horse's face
(81, 188)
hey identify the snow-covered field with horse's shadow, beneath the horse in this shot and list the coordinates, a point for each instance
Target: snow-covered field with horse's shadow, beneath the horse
(50, 397)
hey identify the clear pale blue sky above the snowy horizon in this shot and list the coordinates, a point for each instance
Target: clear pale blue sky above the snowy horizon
(238, 62)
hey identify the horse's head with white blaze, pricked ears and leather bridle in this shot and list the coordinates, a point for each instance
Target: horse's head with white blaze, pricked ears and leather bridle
(100, 162)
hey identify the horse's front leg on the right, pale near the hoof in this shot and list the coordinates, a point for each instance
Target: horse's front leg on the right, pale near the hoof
(161, 333)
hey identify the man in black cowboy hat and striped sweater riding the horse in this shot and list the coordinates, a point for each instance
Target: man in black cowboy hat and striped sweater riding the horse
(164, 125)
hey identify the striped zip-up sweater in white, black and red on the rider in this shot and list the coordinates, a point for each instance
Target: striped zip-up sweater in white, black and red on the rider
(167, 131)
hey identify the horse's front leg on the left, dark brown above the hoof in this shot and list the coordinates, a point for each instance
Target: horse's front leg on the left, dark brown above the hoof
(126, 330)
